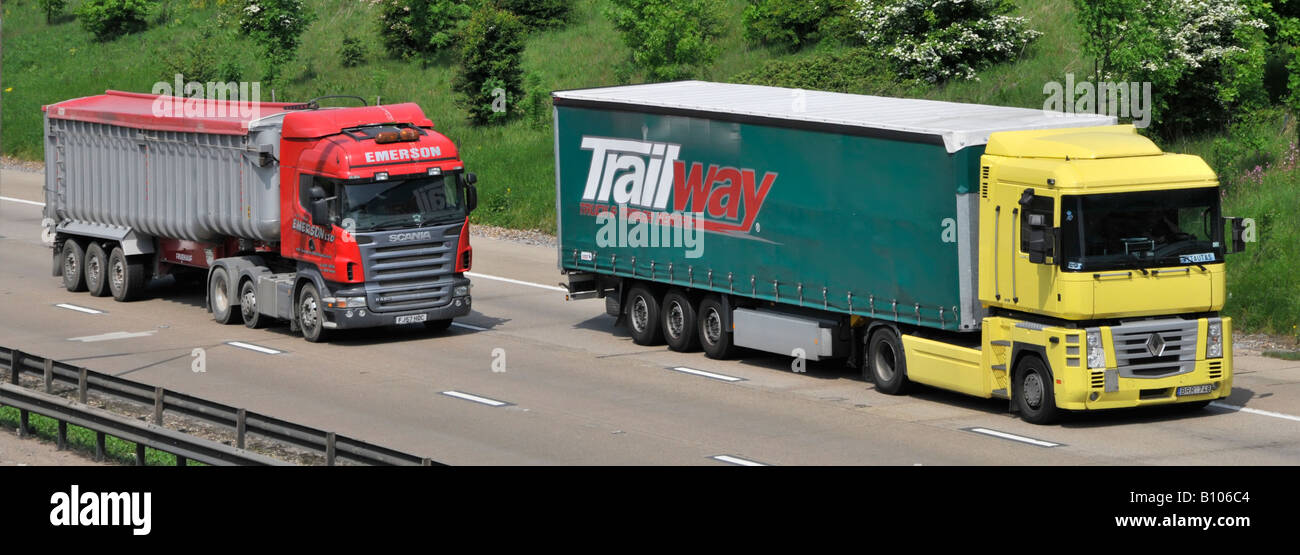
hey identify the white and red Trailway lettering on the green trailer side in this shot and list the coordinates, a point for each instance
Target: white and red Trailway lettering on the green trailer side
(645, 176)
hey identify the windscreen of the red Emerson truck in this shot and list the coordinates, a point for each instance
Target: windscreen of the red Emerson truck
(417, 202)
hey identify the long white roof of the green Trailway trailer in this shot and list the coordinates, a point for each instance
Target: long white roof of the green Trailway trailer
(956, 125)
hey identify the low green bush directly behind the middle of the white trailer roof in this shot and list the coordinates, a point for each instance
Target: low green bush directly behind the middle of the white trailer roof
(850, 71)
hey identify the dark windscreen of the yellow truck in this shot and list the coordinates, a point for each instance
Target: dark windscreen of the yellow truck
(1134, 231)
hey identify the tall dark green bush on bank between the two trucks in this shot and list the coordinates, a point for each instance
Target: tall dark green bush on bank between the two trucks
(492, 77)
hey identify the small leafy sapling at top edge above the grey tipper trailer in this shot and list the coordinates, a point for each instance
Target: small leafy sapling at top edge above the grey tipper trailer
(276, 27)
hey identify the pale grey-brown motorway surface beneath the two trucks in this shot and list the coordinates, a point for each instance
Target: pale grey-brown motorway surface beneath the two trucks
(577, 391)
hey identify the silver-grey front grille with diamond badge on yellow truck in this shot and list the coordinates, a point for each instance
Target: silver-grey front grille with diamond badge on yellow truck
(1155, 349)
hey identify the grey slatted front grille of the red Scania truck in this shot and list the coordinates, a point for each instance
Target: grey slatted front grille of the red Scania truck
(410, 275)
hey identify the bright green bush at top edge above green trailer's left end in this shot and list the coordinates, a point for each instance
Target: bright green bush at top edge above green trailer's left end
(669, 40)
